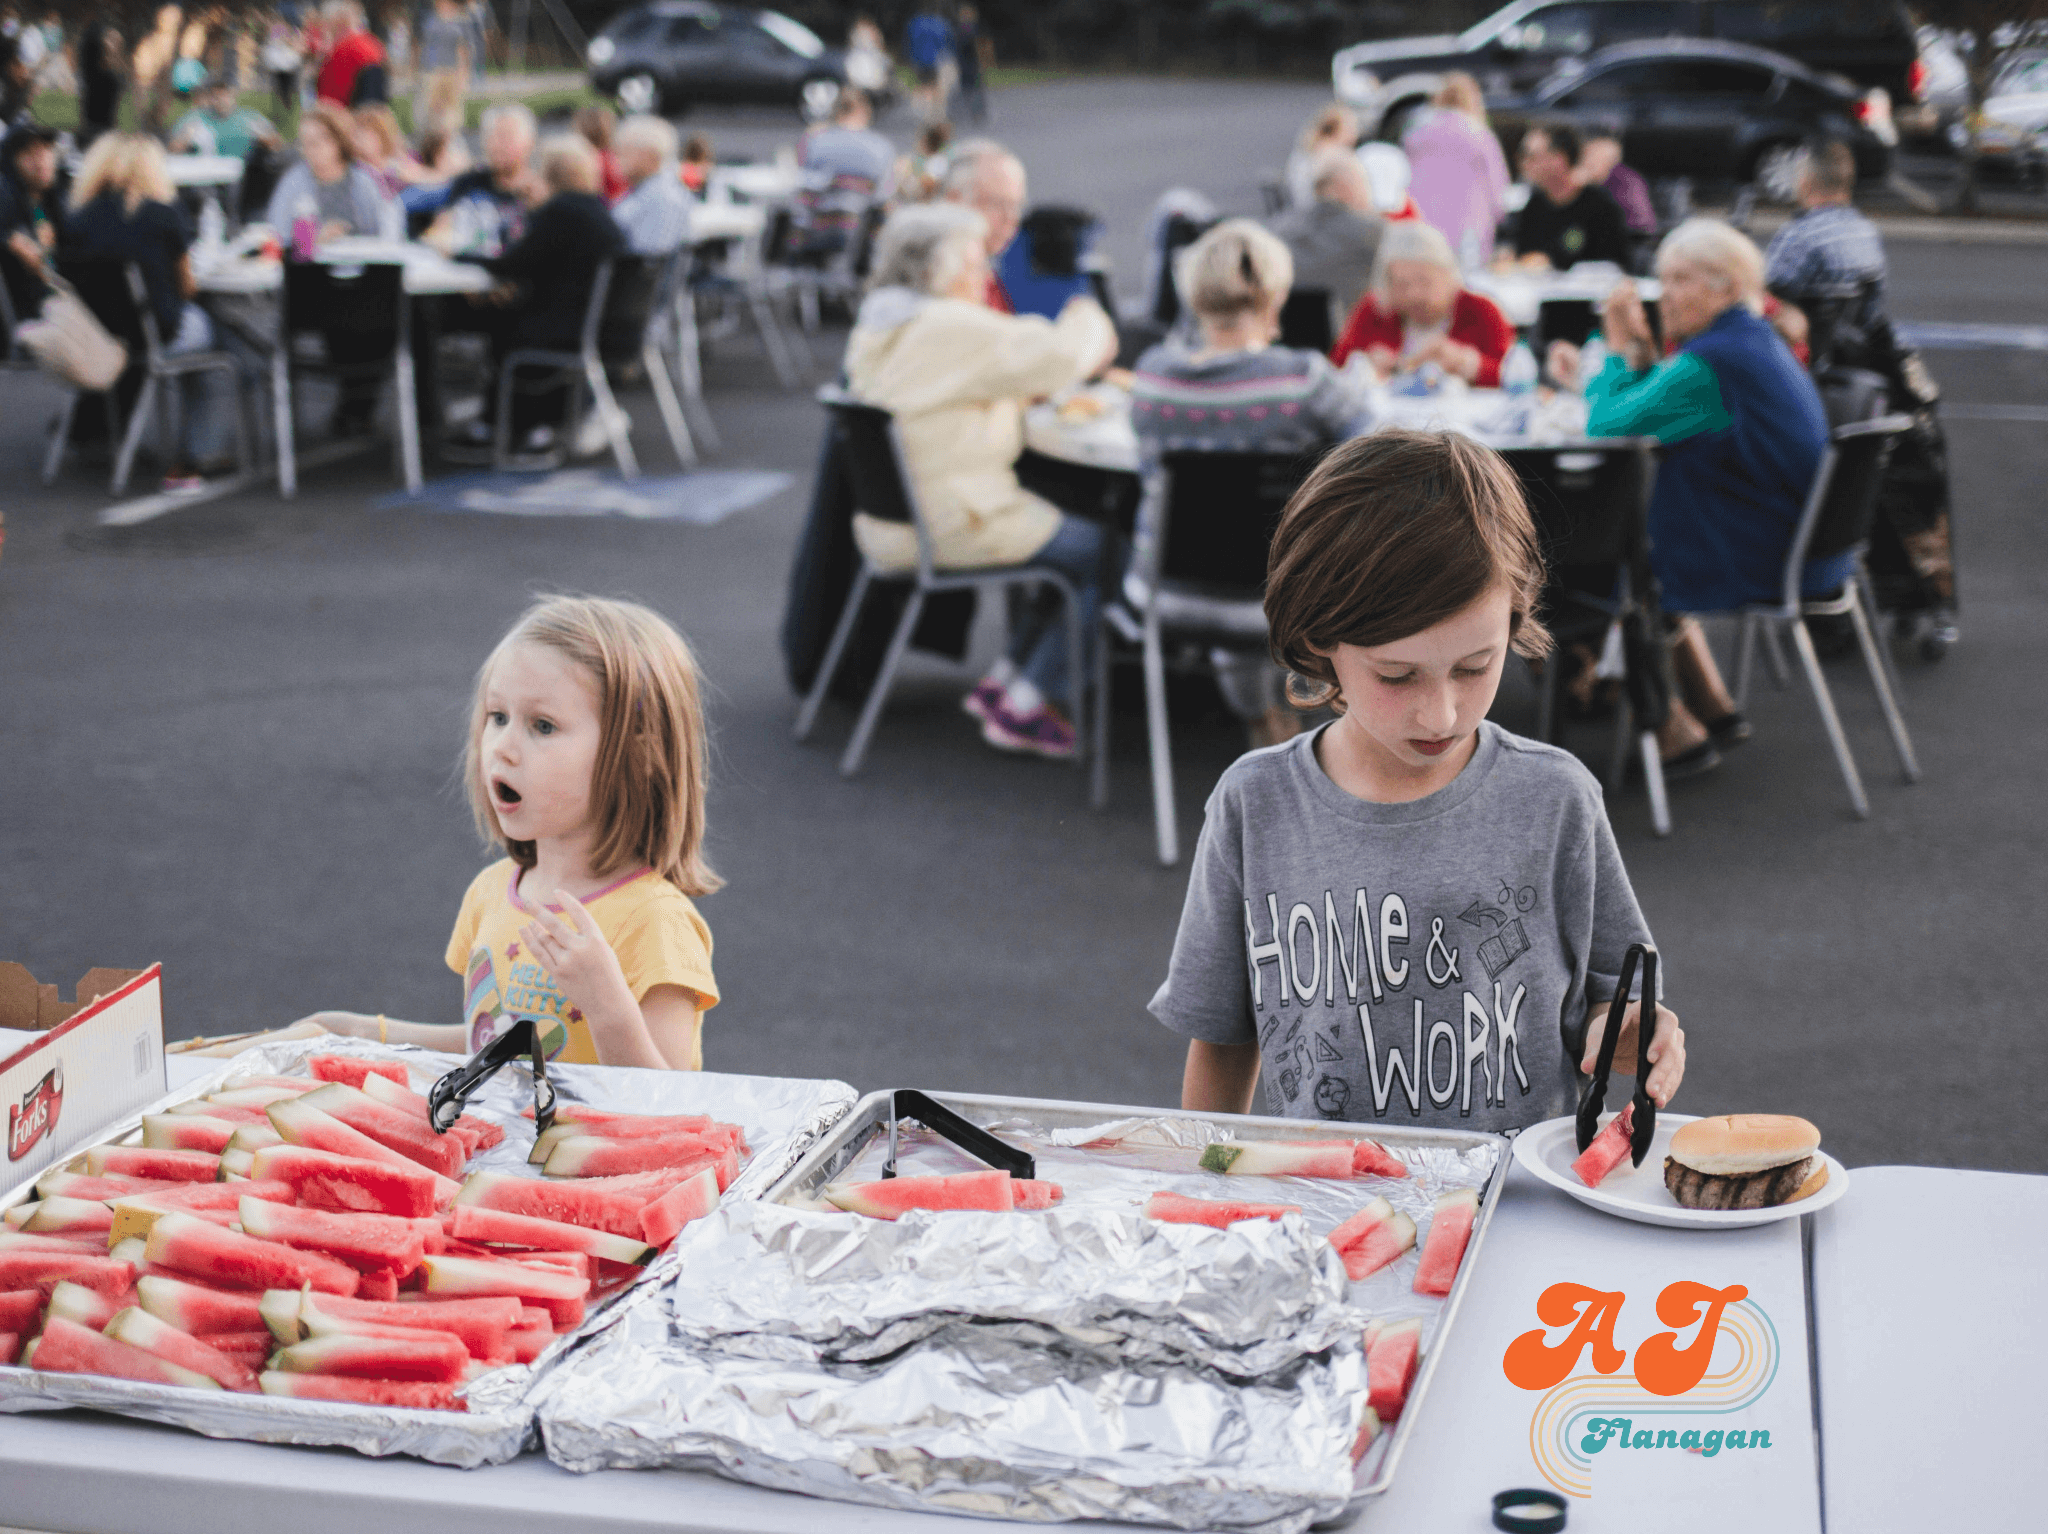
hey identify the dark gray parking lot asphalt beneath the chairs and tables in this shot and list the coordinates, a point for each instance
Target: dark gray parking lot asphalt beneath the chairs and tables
(230, 742)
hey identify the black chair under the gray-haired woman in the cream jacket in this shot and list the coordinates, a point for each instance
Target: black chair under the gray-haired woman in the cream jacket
(884, 491)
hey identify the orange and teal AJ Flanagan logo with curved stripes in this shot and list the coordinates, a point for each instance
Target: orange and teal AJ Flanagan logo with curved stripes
(1670, 1400)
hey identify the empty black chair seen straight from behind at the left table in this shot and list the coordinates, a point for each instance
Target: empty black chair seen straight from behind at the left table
(364, 329)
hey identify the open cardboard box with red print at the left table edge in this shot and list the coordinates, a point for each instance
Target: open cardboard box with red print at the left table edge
(73, 1068)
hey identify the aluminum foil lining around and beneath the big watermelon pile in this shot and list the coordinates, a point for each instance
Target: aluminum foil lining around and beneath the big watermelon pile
(783, 1121)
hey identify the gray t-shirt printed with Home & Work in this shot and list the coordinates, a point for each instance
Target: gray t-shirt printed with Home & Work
(1428, 964)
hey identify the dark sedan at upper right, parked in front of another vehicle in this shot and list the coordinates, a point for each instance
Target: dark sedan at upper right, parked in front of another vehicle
(1713, 112)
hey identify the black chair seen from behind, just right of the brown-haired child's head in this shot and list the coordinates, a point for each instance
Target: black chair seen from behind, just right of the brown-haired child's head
(1592, 513)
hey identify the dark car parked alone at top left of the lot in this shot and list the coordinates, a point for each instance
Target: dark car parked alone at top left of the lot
(675, 54)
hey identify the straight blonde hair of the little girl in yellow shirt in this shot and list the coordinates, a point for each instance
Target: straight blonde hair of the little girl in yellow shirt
(648, 783)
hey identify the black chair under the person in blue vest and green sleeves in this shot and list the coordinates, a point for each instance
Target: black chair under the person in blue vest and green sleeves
(1840, 511)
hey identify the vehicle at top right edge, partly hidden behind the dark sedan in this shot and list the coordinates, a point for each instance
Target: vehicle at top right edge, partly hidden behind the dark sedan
(1514, 50)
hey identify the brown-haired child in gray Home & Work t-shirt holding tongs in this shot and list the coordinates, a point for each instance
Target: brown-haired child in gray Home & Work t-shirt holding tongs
(1408, 914)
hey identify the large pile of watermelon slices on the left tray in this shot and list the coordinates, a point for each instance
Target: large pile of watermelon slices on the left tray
(308, 1238)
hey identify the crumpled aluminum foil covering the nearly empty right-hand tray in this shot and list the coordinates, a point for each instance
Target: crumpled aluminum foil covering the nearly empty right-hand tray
(1082, 1363)
